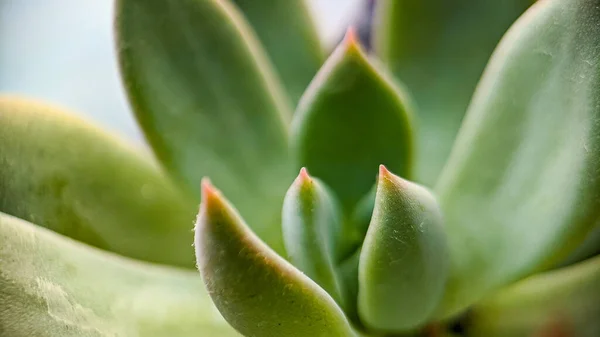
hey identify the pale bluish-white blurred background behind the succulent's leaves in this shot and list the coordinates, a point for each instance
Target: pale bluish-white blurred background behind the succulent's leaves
(61, 51)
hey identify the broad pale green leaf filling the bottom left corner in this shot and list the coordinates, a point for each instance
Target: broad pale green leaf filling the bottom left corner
(51, 285)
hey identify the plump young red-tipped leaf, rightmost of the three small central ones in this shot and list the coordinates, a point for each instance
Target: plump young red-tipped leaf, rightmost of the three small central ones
(404, 260)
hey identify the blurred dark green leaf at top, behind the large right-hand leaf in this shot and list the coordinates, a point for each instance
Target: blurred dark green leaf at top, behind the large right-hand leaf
(439, 49)
